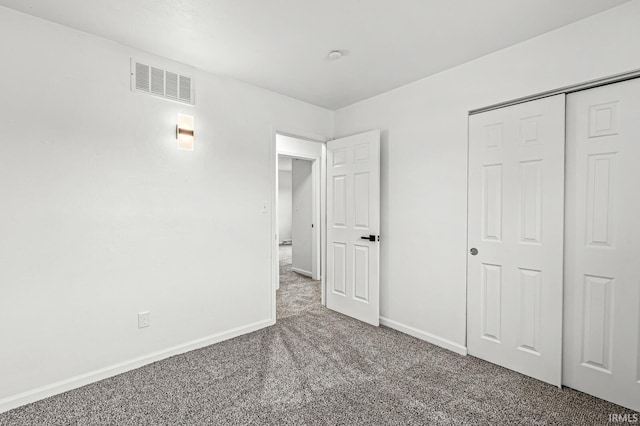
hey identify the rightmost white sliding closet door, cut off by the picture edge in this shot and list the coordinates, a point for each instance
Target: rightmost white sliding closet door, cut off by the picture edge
(602, 281)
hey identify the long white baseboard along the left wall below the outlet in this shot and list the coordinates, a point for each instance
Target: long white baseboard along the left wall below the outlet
(46, 391)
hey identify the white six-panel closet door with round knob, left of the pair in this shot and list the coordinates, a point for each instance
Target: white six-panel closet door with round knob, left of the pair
(516, 207)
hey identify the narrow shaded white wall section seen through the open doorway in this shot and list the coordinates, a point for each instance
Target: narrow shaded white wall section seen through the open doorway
(301, 231)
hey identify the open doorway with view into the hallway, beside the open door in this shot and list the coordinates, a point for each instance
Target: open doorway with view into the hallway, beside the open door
(298, 222)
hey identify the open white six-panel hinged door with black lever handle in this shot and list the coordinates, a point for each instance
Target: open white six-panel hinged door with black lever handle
(353, 213)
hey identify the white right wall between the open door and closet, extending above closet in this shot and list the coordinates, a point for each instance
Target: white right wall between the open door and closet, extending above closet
(424, 159)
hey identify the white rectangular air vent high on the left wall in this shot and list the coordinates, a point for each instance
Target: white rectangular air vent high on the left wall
(162, 83)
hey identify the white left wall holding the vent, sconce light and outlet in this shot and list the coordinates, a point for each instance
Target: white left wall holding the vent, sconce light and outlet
(101, 217)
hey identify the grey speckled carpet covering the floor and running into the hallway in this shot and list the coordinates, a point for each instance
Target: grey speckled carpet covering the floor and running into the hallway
(317, 367)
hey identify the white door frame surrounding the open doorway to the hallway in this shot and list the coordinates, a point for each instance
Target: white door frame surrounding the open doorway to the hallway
(319, 173)
